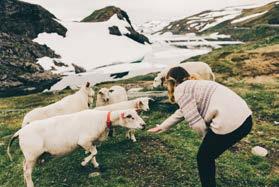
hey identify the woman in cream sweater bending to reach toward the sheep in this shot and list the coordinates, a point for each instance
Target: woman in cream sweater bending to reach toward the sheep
(214, 111)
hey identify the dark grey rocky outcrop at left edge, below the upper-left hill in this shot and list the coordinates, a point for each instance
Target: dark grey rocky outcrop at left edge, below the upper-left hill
(19, 74)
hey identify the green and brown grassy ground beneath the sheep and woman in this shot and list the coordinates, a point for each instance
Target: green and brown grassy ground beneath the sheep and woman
(167, 159)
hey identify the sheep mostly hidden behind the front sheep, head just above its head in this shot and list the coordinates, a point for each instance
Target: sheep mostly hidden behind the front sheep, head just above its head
(137, 104)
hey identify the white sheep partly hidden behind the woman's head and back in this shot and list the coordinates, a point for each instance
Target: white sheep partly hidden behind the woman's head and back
(200, 70)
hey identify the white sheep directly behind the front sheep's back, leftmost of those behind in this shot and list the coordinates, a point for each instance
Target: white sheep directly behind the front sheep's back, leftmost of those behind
(81, 100)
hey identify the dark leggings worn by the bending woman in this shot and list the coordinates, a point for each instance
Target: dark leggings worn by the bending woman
(213, 146)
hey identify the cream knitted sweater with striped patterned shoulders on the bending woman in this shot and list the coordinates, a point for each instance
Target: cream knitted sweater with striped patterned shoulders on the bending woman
(207, 104)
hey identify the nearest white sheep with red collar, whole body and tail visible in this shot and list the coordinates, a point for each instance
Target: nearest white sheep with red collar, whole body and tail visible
(61, 135)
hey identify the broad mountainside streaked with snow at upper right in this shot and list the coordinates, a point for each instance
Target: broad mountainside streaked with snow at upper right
(241, 23)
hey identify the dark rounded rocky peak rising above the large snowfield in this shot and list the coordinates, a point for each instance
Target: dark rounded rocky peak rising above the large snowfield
(107, 13)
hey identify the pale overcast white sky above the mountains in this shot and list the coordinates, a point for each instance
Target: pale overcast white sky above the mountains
(139, 11)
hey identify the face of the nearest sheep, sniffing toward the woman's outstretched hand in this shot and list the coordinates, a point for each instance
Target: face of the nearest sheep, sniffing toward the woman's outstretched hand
(130, 119)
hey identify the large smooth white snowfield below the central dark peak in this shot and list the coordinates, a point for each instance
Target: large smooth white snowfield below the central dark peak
(90, 45)
